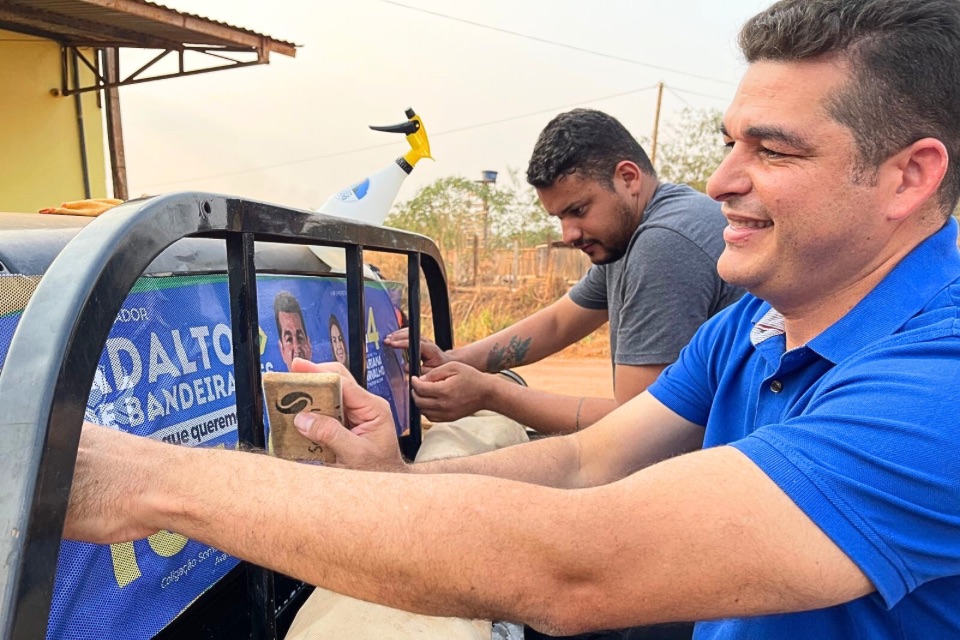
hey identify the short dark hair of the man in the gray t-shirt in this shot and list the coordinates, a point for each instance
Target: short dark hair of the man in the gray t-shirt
(584, 141)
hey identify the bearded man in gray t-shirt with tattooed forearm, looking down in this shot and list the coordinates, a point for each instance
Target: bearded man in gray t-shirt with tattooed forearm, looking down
(654, 247)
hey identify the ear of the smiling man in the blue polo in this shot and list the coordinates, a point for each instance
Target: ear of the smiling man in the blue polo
(916, 174)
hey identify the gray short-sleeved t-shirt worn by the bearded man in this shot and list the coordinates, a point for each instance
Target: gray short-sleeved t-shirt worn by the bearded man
(666, 285)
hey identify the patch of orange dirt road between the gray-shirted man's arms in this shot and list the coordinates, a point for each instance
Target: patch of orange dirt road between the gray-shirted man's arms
(571, 376)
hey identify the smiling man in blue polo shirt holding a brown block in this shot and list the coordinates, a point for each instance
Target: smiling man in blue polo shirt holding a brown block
(818, 496)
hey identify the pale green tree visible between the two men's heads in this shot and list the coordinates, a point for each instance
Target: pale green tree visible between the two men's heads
(695, 151)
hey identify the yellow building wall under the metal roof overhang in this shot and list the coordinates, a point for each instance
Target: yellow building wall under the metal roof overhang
(40, 155)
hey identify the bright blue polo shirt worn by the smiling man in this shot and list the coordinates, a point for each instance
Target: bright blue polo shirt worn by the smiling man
(861, 428)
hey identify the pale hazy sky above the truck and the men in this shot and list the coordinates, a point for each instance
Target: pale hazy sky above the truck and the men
(485, 77)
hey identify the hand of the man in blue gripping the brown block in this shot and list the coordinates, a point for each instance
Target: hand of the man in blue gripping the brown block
(371, 442)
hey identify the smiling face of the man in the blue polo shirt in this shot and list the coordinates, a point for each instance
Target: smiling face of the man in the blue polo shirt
(802, 224)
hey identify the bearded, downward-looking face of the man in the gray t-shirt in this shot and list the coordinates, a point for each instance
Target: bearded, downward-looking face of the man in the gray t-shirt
(596, 219)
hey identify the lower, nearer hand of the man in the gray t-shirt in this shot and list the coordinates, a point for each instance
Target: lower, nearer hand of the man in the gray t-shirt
(452, 391)
